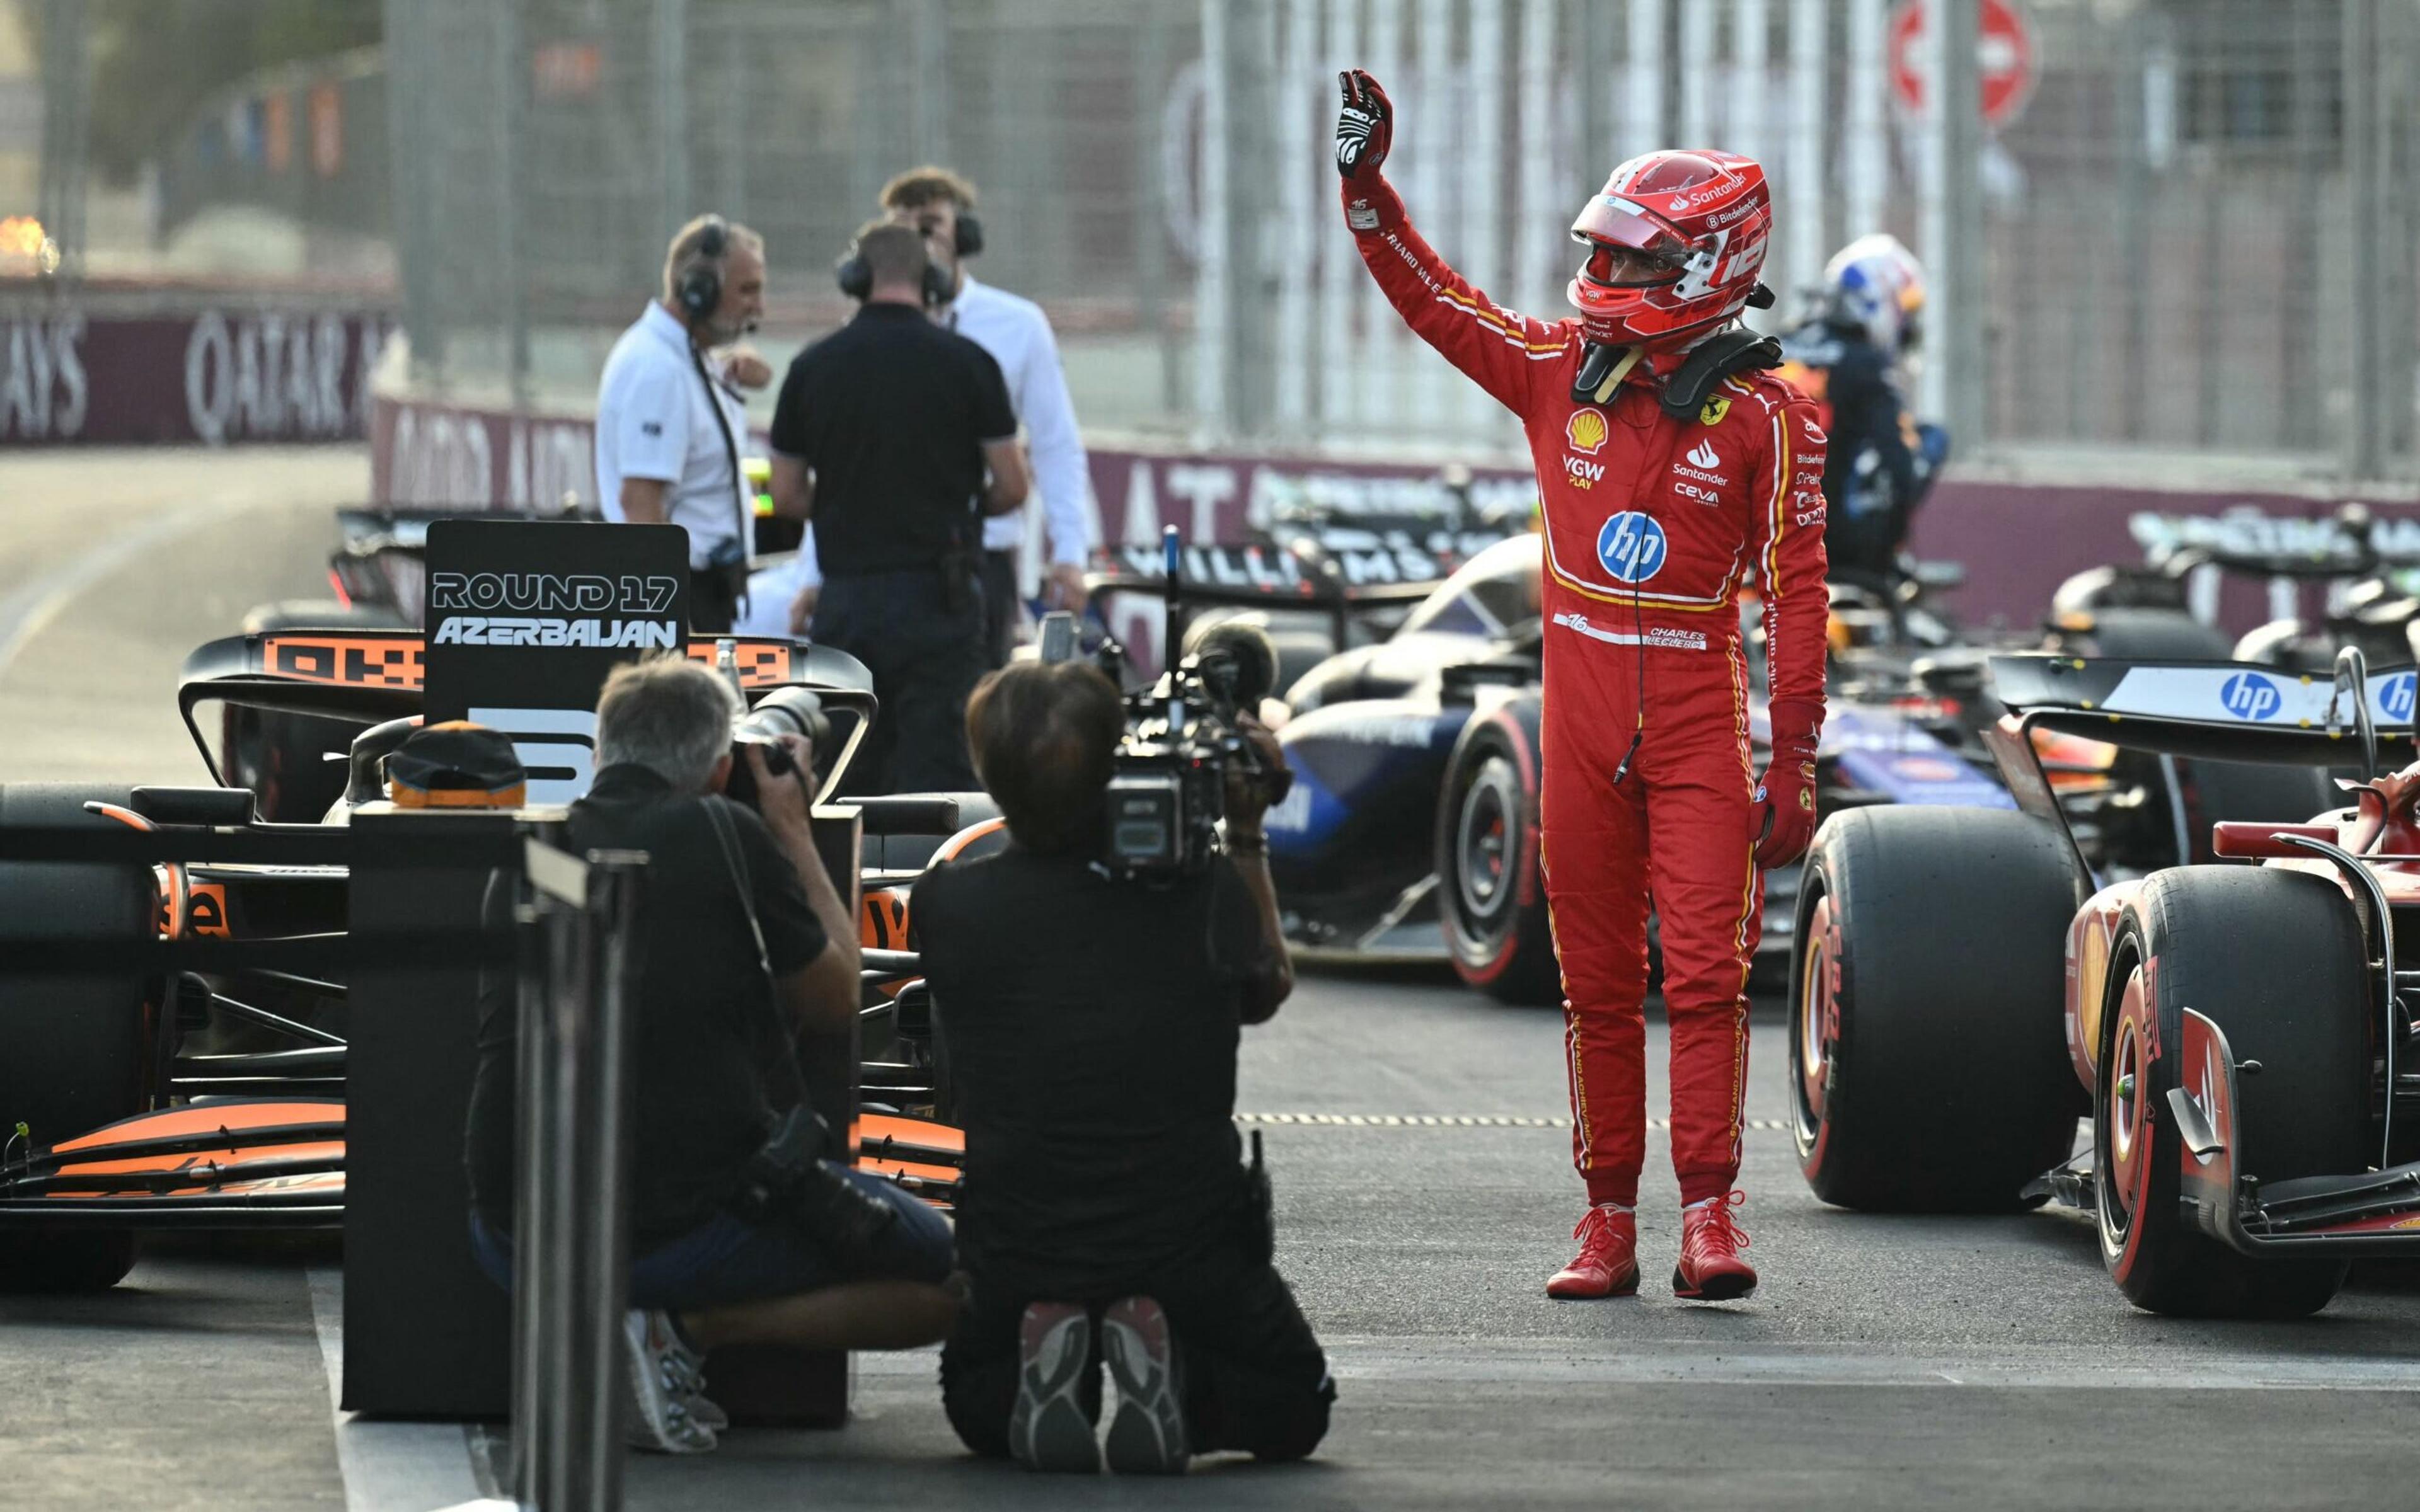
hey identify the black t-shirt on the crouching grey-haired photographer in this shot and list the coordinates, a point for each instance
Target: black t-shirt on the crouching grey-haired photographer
(708, 1027)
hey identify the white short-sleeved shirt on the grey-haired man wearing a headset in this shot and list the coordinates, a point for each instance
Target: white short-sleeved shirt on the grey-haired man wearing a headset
(657, 422)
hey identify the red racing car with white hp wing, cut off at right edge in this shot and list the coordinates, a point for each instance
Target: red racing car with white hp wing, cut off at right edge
(2237, 1032)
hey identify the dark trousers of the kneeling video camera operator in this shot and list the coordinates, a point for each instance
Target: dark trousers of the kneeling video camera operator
(1252, 1370)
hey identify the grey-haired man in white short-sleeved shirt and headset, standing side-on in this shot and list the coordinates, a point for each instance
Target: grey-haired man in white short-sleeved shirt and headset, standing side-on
(672, 422)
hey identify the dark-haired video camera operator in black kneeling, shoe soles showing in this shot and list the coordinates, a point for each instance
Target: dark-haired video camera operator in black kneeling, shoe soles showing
(1093, 1032)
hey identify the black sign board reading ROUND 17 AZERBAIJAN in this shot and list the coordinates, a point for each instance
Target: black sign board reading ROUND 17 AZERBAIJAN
(526, 621)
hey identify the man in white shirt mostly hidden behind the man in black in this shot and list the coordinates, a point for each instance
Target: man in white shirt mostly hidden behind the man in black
(940, 204)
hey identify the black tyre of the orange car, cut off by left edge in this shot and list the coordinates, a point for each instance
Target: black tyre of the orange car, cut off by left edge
(74, 1049)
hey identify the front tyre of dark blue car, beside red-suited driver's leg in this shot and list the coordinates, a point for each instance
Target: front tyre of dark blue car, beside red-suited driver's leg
(1492, 896)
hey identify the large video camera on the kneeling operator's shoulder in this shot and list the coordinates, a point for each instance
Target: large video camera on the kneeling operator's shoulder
(1168, 790)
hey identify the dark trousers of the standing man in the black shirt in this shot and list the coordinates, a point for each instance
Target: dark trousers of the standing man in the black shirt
(926, 652)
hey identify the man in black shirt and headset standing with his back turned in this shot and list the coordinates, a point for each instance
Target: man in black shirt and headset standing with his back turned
(897, 442)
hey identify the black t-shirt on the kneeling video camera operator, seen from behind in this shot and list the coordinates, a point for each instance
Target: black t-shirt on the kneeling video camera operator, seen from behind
(1093, 1037)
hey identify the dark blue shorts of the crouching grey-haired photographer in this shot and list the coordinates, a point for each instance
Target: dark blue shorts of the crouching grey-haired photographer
(727, 1259)
